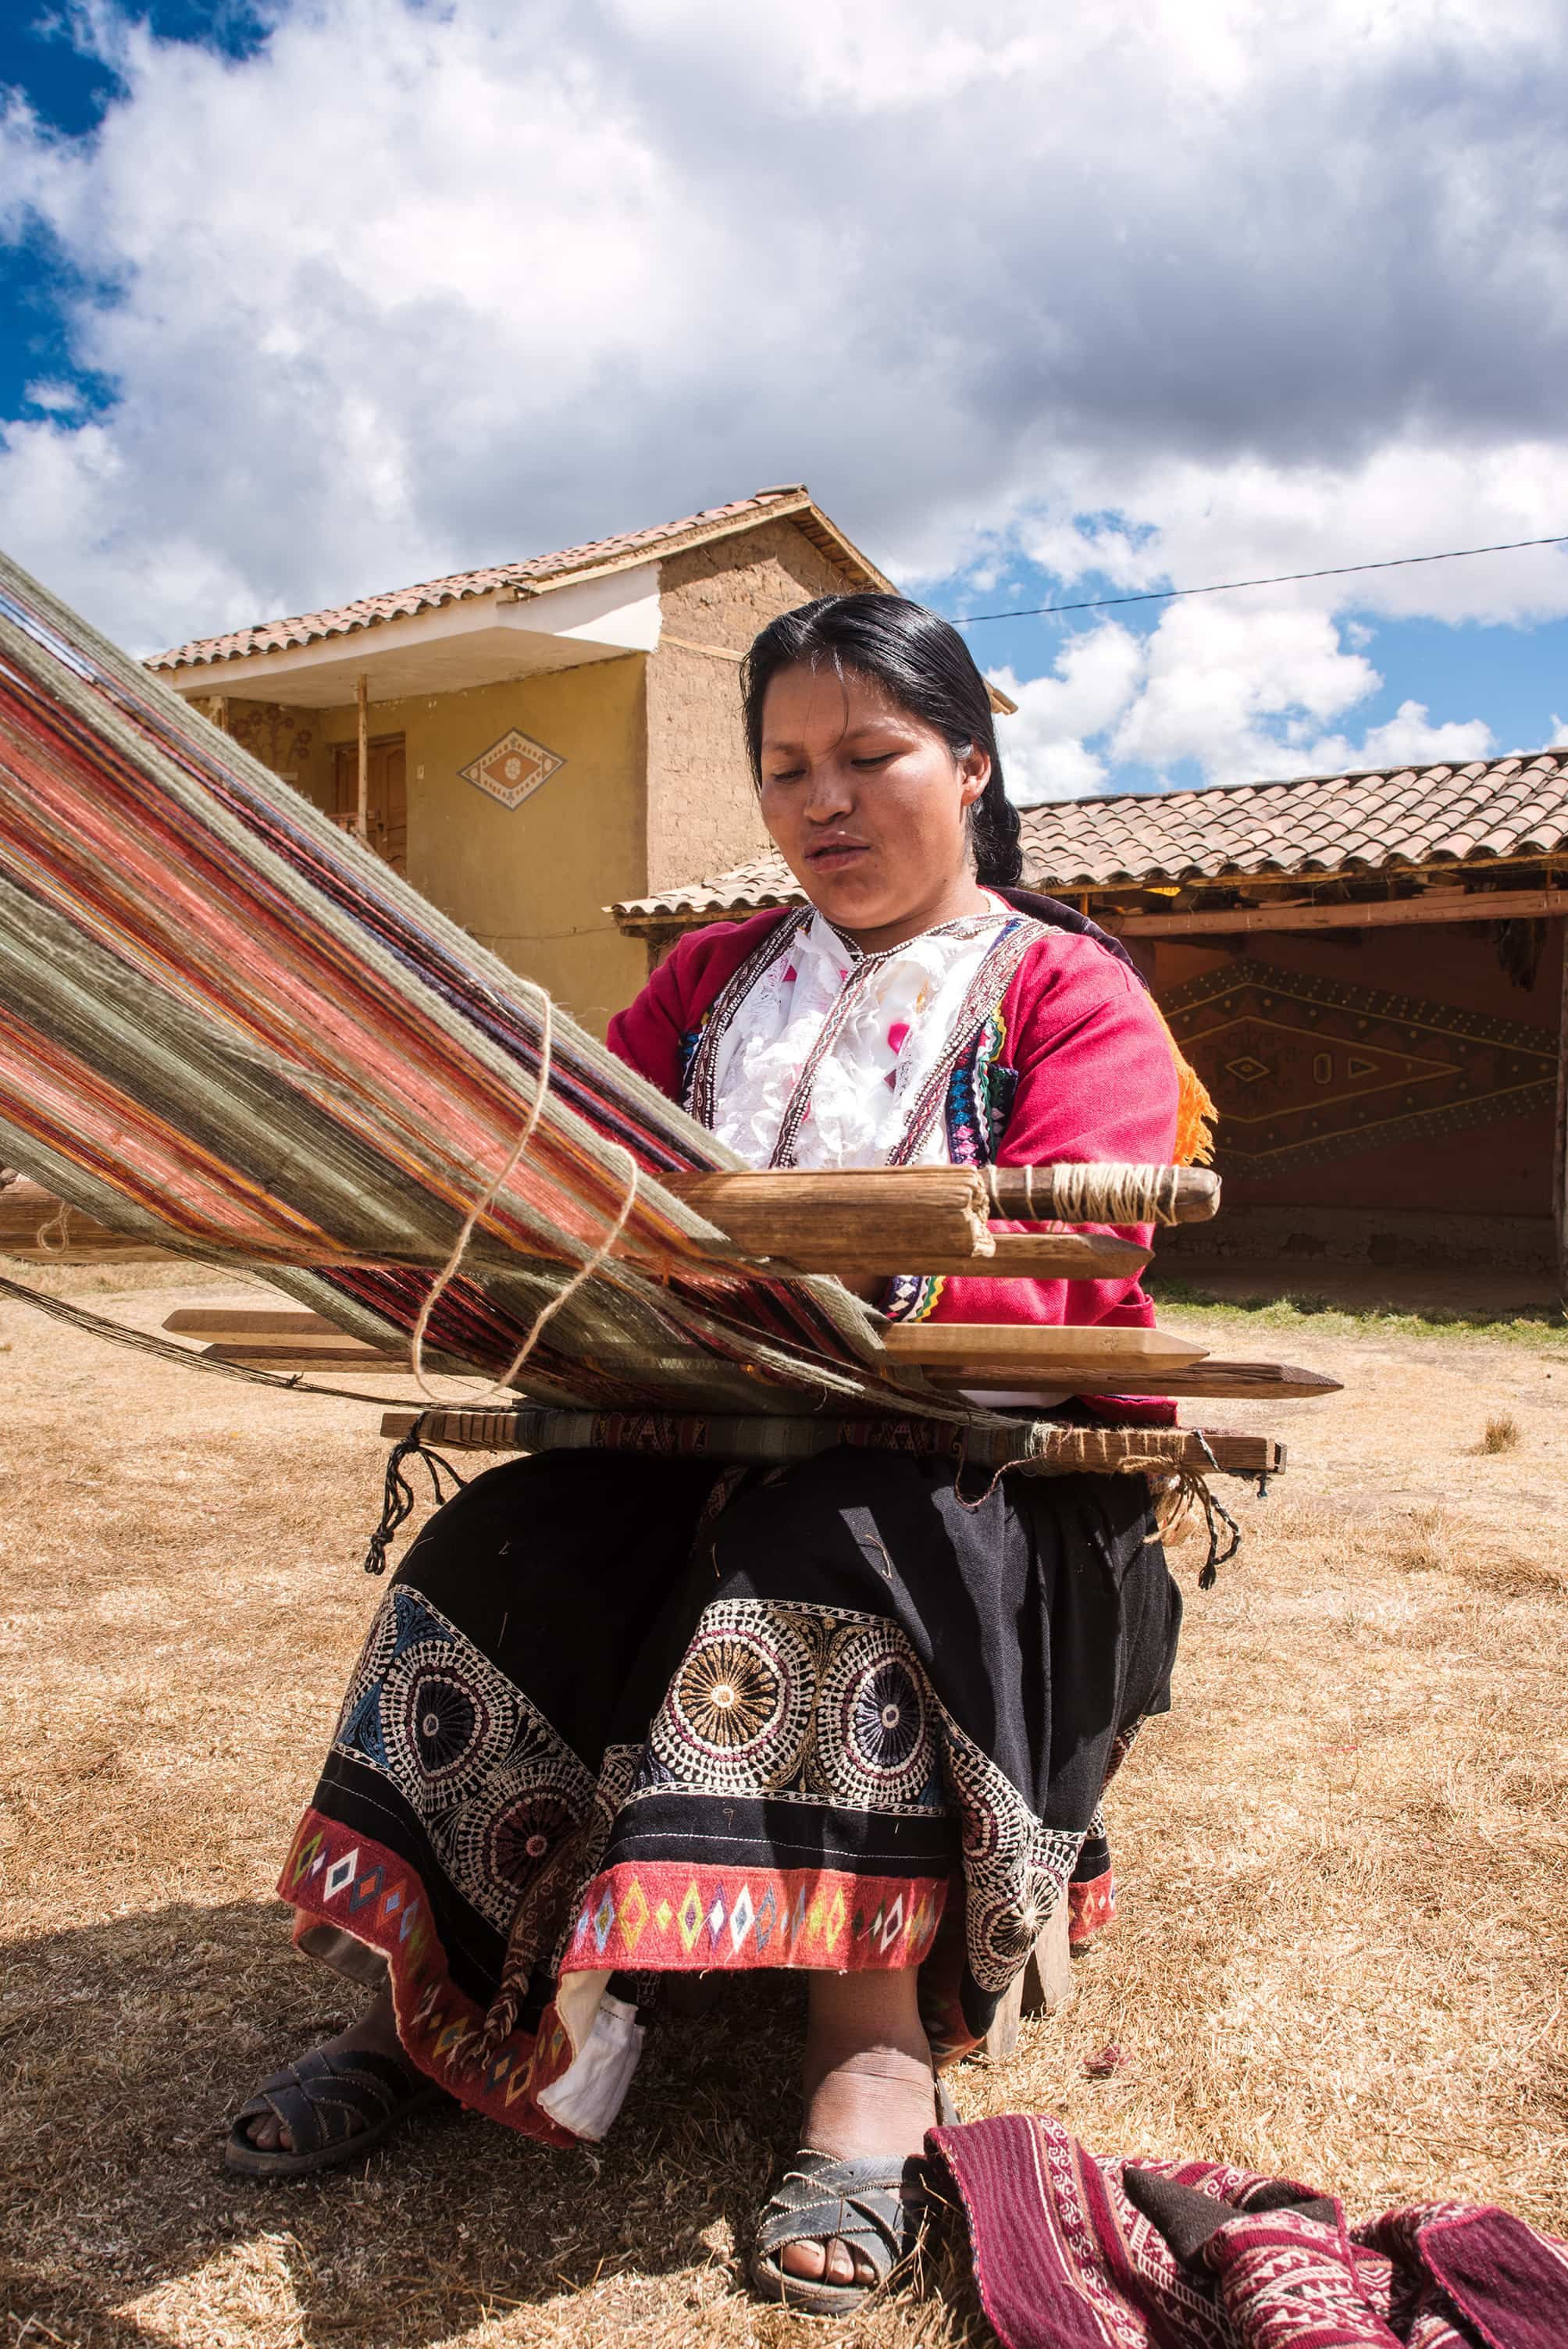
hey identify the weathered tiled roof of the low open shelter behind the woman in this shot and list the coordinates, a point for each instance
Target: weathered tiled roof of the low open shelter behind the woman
(1316, 826)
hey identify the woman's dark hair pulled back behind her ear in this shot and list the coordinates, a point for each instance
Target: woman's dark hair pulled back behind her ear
(924, 666)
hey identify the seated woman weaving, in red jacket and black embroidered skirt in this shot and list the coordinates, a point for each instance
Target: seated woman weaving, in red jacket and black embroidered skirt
(633, 1716)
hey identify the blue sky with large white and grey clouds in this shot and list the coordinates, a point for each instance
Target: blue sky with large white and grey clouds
(318, 297)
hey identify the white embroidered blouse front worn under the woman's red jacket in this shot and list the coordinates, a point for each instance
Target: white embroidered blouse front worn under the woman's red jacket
(886, 1021)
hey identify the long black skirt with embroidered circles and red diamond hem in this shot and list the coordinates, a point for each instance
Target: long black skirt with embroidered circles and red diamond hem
(630, 1716)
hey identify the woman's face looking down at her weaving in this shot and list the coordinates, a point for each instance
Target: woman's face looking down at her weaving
(867, 807)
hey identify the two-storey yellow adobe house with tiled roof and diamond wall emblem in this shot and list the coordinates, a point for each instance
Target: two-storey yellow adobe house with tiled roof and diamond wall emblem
(543, 739)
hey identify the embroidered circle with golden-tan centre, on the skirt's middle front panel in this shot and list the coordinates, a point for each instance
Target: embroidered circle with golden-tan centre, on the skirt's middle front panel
(738, 1707)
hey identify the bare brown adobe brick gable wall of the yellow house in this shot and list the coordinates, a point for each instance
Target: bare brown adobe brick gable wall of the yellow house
(701, 800)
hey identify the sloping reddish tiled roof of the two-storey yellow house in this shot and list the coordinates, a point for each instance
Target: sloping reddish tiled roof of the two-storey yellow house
(534, 574)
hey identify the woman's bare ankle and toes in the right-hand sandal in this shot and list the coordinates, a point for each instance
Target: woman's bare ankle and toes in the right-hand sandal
(867, 2094)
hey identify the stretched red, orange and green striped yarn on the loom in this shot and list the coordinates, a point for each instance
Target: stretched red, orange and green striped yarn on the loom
(231, 1030)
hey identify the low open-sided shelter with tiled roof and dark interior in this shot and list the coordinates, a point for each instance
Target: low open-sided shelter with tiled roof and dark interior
(1367, 971)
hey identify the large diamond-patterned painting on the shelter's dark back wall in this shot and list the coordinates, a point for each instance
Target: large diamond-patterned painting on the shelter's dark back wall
(1306, 1070)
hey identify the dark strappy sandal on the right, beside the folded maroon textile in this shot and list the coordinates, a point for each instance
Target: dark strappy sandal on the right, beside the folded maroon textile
(874, 2207)
